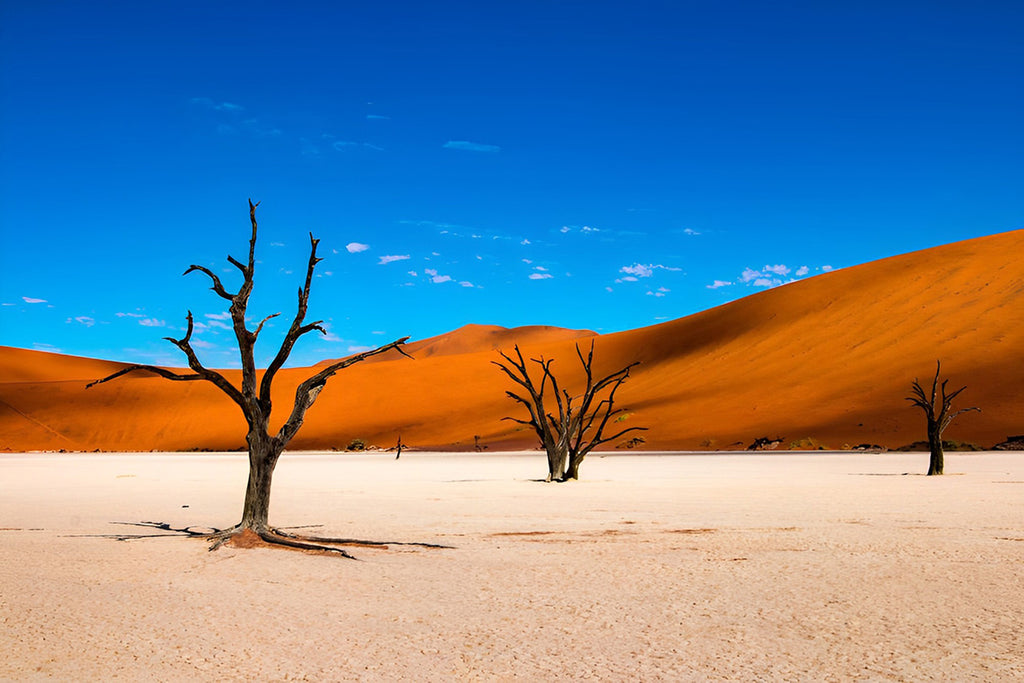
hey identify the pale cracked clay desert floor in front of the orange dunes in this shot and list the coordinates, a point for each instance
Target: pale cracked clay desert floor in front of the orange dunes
(676, 567)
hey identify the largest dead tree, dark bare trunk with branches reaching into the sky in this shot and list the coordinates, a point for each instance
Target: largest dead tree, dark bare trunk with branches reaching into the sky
(253, 398)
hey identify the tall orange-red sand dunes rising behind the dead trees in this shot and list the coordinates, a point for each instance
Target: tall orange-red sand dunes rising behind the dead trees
(831, 359)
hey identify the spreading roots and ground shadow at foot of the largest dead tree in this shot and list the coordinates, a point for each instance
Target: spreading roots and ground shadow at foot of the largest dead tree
(246, 538)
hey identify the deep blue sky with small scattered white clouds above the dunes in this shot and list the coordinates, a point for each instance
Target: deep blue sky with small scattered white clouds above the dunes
(600, 165)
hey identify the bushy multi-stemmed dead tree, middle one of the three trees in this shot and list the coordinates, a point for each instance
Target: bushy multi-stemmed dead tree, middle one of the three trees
(577, 425)
